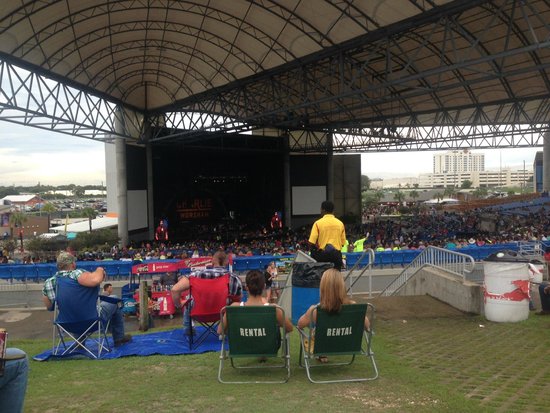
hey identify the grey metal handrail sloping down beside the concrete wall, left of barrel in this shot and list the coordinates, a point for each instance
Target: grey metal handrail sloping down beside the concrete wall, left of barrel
(452, 261)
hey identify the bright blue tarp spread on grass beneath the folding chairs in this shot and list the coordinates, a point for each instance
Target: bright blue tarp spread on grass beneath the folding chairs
(172, 342)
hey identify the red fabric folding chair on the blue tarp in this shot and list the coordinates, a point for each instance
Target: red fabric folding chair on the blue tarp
(209, 296)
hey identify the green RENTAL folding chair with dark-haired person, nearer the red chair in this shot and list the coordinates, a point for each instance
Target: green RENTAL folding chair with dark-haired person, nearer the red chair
(253, 332)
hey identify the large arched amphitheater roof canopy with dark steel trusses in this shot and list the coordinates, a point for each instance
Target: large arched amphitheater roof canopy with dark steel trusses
(318, 65)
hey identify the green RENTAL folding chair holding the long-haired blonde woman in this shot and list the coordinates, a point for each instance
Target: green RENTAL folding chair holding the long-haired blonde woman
(341, 335)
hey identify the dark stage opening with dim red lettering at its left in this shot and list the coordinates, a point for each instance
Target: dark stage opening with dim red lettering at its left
(195, 186)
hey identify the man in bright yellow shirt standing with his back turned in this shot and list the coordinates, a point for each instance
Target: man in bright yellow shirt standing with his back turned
(327, 237)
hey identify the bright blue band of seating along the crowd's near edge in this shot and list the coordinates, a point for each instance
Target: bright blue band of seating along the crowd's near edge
(123, 269)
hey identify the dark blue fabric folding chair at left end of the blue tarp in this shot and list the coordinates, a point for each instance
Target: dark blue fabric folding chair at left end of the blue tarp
(77, 322)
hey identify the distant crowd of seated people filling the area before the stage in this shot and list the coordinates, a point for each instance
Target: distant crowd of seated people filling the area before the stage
(417, 230)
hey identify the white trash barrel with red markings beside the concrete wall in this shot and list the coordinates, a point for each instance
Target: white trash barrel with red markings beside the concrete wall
(506, 287)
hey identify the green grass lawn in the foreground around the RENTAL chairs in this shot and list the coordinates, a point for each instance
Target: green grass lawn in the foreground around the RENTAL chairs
(462, 364)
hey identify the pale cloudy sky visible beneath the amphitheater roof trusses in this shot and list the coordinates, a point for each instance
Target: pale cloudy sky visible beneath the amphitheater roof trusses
(29, 155)
